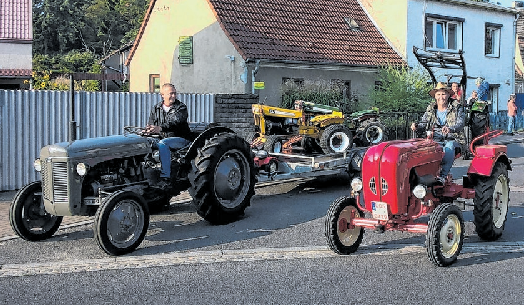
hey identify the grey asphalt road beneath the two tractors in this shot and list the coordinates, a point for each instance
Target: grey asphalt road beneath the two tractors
(275, 254)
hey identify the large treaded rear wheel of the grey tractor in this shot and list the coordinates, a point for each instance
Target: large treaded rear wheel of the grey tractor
(222, 178)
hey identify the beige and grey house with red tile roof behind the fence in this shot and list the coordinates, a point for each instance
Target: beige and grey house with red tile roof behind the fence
(248, 46)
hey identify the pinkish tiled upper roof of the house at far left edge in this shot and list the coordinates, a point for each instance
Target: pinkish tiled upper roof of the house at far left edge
(15, 20)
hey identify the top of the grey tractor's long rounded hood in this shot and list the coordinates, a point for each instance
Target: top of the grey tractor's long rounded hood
(98, 149)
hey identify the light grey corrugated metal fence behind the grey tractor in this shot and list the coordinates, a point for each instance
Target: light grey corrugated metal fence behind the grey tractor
(29, 120)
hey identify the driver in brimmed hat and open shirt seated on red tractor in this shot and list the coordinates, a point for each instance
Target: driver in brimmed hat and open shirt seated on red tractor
(448, 118)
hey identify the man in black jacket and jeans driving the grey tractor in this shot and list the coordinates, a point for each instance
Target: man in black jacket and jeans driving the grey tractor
(169, 120)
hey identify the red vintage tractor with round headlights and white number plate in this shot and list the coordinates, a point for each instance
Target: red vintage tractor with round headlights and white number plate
(399, 184)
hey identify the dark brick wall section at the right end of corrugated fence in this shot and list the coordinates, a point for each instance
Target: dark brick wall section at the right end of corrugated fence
(234, 111)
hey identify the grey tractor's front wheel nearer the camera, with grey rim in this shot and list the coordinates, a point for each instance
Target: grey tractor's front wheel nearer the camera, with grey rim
(121, 223)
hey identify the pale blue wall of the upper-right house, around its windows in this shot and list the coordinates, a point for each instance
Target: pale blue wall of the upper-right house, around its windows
(494, 70)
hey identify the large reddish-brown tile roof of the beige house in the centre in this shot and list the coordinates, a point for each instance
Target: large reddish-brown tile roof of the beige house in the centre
(299, 30)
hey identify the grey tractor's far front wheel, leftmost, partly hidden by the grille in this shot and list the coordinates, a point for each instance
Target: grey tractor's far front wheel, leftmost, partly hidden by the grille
(28, 217)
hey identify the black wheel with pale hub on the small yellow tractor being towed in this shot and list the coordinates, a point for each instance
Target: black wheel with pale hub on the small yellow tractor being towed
(336, 139)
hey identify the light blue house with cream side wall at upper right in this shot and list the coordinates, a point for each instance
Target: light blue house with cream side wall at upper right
(485, 32)
